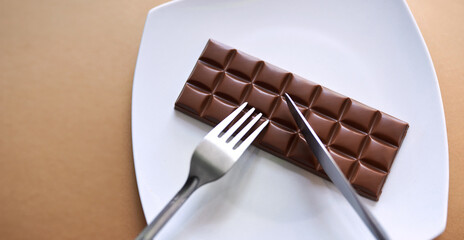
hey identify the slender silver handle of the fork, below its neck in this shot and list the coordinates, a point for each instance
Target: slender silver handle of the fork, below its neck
(169, 210)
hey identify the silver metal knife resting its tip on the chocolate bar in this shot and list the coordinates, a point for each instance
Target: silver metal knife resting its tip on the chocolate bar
(334, 173)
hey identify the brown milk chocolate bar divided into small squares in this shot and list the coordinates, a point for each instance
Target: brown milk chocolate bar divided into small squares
(363, 141)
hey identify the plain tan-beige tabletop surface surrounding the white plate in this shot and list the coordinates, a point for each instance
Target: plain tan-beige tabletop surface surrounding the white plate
(66, 69)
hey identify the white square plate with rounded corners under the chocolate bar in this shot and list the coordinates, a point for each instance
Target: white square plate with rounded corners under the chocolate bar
(371, 51)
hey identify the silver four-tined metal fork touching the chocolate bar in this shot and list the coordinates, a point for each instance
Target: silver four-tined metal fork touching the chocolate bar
(213, 157)
